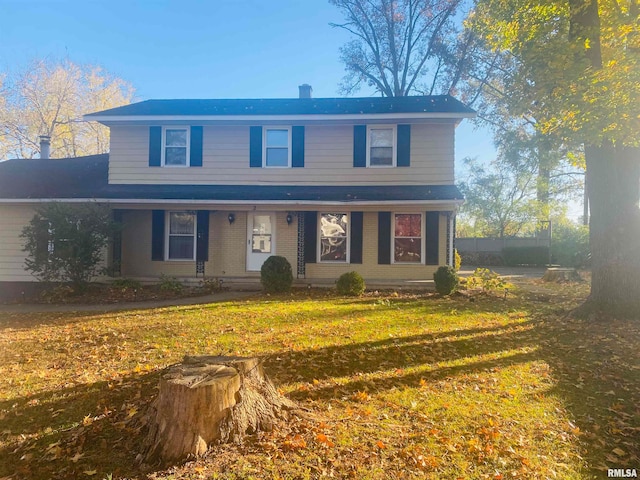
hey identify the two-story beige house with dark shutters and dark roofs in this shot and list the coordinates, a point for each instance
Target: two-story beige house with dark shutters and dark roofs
(214, 187)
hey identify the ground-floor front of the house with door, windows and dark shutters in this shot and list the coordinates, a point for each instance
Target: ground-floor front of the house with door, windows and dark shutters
(231, 245)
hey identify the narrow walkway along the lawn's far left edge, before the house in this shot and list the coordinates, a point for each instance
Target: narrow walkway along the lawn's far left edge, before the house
(111, 307)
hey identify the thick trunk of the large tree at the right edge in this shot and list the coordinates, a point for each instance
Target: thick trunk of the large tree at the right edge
(613, 175)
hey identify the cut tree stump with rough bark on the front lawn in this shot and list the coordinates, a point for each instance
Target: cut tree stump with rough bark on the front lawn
(208, 400)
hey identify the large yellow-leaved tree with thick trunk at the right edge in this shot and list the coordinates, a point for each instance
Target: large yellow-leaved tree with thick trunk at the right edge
(578, 66)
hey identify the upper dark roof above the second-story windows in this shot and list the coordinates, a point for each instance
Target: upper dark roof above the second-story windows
(292, 106)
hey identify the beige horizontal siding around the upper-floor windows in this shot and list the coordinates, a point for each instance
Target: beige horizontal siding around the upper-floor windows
(328, 159)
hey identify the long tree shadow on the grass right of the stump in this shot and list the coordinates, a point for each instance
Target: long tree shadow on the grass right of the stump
(595, 367)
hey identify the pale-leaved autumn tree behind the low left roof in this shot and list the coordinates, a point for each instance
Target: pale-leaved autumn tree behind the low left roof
(50, 98)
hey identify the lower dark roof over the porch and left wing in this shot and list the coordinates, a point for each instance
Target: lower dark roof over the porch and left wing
(87, 177)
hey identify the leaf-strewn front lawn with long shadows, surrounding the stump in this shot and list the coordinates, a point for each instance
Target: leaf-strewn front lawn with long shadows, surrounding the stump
(397, 386)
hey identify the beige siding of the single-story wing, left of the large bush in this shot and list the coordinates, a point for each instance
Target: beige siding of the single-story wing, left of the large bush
(13, 219)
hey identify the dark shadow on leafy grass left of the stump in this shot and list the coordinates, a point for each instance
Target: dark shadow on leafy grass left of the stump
(66, 432)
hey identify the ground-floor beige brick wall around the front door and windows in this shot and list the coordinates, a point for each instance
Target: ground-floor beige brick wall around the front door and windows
(228, 250)
